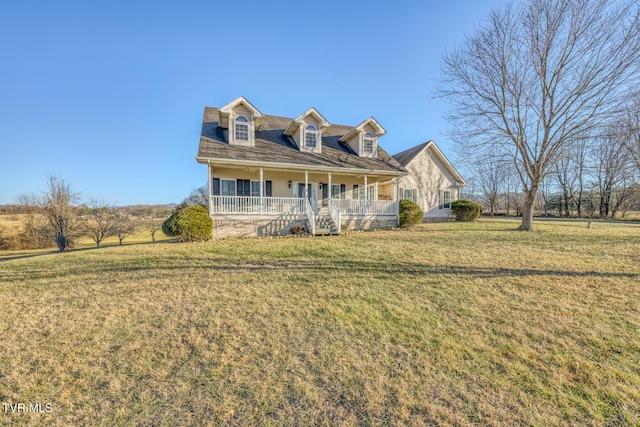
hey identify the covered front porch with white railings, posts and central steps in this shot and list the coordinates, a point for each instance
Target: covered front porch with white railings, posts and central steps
(325, 202)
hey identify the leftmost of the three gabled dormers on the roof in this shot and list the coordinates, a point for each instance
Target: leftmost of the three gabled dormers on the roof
(242, 119)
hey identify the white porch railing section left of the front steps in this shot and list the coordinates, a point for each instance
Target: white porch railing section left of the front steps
(251, 205)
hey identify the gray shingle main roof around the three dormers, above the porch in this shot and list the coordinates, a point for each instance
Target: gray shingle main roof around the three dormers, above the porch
(273, 146)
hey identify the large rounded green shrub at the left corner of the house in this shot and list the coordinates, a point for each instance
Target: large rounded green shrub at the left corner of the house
(189, 223)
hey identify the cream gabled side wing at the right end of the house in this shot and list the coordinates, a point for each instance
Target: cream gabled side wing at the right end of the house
(432, 181)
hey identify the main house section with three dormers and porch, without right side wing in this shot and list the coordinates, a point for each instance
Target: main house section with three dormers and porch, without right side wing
(270, 175)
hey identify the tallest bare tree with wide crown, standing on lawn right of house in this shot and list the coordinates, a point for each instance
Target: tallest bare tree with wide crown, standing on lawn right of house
(539, 74)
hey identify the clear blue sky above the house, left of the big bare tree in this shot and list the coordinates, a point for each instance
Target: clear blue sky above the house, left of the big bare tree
(109, 95)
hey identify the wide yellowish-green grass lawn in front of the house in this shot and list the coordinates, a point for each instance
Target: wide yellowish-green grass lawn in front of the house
(449, 324)
